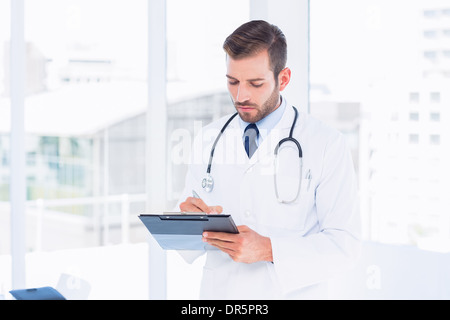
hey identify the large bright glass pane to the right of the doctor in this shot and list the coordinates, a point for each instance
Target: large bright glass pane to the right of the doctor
(391, 101)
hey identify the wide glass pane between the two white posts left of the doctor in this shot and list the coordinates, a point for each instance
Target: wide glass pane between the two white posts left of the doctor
(86, 98)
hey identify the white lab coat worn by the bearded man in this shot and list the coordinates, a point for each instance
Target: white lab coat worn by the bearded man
(312, 239)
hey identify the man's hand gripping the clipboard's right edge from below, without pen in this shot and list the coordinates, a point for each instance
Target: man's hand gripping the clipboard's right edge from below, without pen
(247, 246)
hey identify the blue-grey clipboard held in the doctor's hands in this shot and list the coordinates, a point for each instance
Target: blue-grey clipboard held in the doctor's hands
(183, 231)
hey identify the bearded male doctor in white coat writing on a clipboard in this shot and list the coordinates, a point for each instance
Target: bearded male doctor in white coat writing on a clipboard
(298, 219)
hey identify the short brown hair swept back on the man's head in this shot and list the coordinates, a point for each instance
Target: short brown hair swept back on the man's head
(255, 36)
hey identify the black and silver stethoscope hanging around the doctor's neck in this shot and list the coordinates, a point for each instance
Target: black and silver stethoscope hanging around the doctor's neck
(208, 181)
